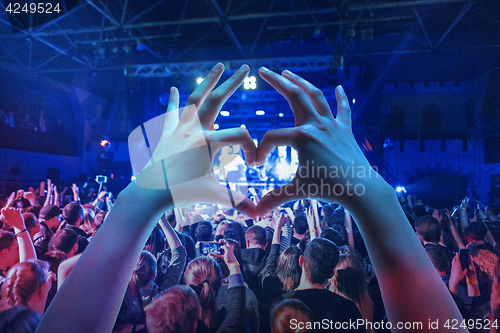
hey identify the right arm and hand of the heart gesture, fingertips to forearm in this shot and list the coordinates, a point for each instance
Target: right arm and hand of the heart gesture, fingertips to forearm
(411, 288)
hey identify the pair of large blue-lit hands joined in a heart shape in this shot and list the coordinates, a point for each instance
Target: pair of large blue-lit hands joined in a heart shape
(173, 154)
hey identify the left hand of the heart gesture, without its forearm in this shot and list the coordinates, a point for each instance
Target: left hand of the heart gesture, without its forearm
(186, 146)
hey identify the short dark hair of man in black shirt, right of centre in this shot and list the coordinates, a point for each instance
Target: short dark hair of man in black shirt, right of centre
(320, 258)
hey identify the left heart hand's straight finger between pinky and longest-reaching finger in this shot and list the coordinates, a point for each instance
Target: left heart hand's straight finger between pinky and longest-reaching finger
(201, 92)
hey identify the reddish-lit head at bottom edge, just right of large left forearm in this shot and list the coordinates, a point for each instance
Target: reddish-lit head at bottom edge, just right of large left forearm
(175, 311)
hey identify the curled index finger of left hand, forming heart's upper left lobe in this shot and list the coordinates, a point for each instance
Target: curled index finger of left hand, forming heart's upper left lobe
(234, 136)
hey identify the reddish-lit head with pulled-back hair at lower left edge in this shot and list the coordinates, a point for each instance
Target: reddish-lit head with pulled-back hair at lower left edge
(27, 283)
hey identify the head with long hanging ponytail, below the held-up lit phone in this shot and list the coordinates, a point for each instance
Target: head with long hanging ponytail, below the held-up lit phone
(204, 276)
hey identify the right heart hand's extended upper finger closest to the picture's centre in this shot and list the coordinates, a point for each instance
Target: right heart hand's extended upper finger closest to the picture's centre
(296, 97)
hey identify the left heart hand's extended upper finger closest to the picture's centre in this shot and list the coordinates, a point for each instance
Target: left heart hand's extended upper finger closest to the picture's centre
(213, 104)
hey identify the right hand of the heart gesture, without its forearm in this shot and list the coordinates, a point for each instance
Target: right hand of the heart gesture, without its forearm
(322, 141)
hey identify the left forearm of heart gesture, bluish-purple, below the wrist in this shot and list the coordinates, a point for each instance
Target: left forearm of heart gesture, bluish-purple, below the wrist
(106, 265)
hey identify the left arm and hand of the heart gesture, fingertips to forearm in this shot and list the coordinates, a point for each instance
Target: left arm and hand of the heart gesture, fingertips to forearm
(179, 172)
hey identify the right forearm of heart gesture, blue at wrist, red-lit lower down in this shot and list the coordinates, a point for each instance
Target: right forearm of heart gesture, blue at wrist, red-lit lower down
(405, 273)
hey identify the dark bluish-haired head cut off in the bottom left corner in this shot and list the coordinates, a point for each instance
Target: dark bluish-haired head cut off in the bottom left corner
(19, 319)
